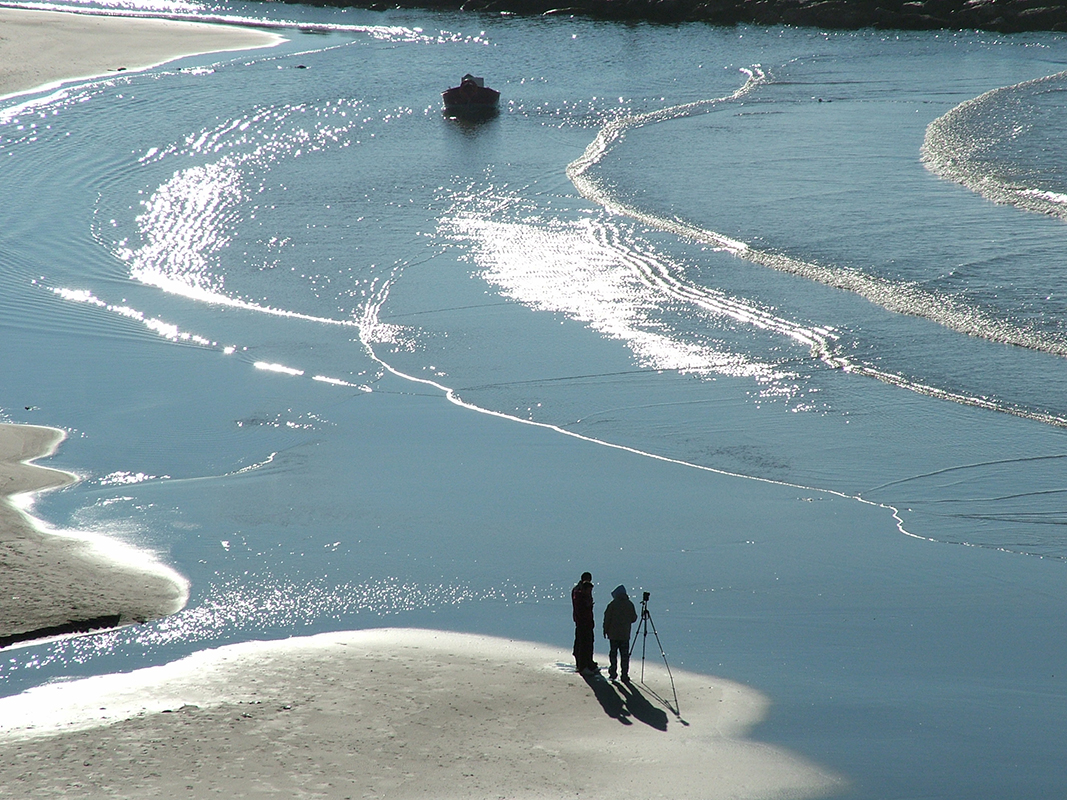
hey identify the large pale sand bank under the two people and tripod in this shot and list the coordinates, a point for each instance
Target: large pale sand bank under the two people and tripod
(391, 714)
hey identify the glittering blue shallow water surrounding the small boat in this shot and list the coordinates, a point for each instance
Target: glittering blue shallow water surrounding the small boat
(268, 293)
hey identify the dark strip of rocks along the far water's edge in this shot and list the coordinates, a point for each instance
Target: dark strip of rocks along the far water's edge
(1002, 17)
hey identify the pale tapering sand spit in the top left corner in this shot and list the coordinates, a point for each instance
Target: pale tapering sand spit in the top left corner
(39, 49)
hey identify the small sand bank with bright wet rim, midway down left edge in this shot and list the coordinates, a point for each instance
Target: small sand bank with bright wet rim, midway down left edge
(54, 583)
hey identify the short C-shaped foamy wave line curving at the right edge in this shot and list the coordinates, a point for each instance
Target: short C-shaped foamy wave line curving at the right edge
(950, 151)
